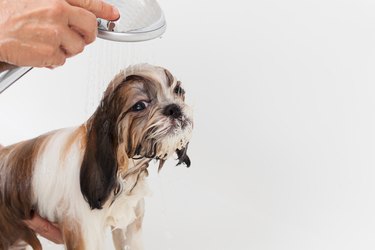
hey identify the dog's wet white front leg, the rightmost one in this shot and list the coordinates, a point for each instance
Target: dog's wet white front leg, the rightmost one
(131, 238)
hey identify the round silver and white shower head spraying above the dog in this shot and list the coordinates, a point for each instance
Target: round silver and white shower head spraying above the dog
(140, 20)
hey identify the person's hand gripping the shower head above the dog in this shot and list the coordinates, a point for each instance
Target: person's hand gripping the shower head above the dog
(44, 33)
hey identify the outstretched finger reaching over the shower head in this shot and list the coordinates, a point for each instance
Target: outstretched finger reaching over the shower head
(98, 7)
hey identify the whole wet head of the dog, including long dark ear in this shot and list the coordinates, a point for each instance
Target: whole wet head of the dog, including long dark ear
(142, 115)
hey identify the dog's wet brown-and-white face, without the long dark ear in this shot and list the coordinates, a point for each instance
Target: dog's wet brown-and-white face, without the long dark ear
(154, 121)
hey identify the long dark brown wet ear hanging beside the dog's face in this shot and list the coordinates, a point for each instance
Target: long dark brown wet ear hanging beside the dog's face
(99, 167)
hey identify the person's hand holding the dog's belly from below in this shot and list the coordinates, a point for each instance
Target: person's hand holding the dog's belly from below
(45, 229)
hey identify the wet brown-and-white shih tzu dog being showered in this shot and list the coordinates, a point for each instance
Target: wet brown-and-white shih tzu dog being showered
(92, 177)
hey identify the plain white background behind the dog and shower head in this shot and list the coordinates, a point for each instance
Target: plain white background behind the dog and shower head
(283, 147)
